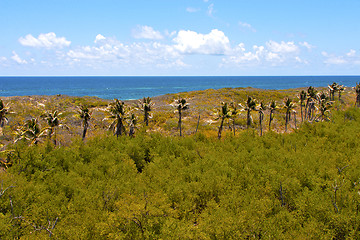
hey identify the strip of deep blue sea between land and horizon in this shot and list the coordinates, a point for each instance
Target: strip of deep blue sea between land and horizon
(126, 88)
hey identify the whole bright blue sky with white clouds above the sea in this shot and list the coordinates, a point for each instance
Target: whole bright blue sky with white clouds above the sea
(179, 37)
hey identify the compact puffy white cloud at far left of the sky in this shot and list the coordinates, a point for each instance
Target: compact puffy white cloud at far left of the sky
(47, 40)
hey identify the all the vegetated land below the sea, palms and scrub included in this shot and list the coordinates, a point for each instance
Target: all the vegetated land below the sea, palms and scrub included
(290, 181)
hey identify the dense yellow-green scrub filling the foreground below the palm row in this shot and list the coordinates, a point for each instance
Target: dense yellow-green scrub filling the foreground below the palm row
(301, 185)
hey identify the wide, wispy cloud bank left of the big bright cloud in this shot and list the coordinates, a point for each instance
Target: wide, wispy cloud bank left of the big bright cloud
(111, 52)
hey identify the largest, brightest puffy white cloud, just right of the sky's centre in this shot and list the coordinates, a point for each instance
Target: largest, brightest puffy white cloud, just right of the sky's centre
(190, 42)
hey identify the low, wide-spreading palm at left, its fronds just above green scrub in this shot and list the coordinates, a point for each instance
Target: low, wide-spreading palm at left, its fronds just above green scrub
(32, 132)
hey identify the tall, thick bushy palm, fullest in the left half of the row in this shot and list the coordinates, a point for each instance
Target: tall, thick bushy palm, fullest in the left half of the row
(117, 110)
